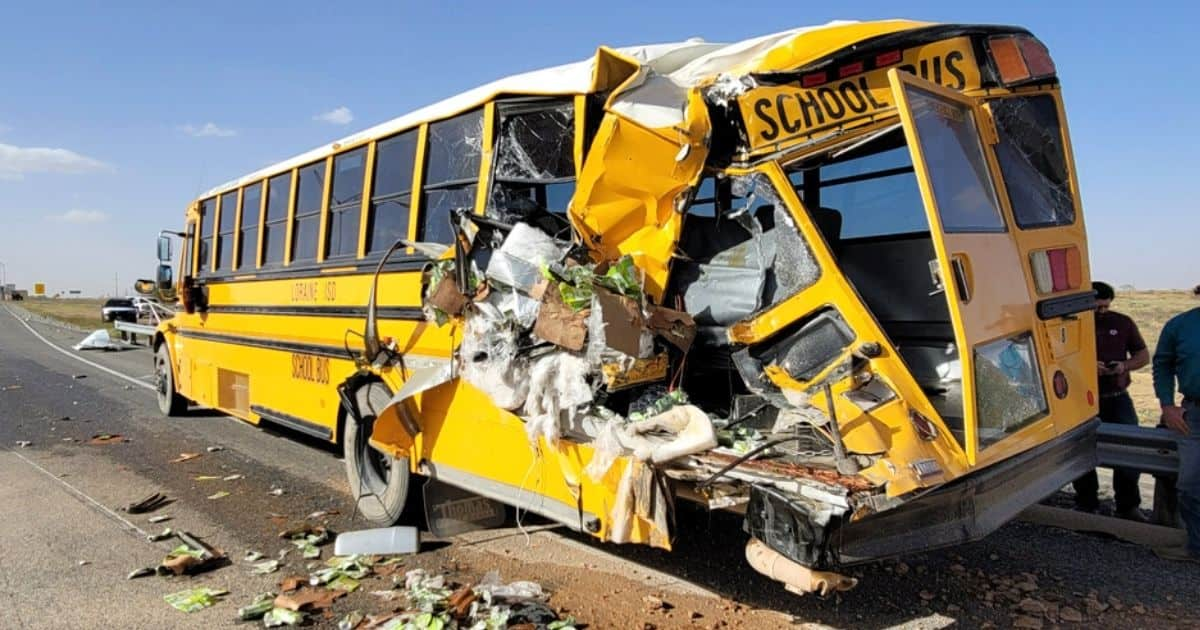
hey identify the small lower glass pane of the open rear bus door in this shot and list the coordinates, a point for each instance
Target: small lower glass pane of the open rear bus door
(1009, 388)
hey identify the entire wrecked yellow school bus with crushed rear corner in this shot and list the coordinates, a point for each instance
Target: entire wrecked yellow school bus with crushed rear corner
(833, 279)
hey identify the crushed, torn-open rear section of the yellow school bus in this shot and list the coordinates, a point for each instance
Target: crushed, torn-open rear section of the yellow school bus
(833, 279)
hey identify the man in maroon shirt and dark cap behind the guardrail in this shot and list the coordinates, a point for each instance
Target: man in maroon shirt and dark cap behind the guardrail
(1120, 350)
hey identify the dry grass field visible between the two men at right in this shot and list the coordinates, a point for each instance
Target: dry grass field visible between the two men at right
(1151, 310)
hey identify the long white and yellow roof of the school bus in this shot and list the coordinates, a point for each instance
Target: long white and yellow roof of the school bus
(657, 98)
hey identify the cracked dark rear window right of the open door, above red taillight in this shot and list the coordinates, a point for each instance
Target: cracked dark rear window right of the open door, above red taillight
(1034, 161)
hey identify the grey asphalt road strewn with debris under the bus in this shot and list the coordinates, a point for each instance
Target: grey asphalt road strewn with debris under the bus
(63, 496)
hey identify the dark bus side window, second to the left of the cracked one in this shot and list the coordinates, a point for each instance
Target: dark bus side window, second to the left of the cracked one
(392, 193)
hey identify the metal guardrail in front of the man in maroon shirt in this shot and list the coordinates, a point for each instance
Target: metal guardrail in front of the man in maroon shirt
(1151, 451)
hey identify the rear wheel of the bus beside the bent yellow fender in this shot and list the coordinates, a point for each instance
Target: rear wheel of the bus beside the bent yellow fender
(379, 481)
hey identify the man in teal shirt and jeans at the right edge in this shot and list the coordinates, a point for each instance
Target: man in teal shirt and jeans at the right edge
(1178, 359)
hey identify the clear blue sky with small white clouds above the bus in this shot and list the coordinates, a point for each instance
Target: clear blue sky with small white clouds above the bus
(113, 117)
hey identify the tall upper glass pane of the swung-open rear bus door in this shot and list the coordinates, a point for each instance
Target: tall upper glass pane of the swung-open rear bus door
(958, 170)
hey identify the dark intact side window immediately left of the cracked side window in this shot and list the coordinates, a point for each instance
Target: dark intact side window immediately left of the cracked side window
(452, 173)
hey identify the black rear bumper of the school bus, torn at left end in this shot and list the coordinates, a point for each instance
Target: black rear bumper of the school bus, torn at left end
(961, 512)
